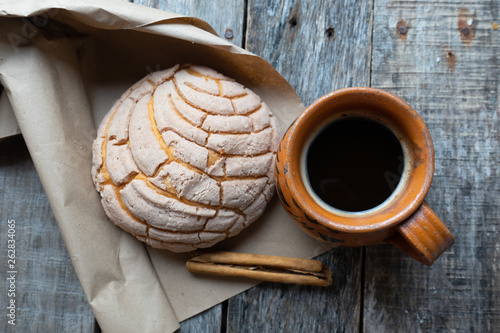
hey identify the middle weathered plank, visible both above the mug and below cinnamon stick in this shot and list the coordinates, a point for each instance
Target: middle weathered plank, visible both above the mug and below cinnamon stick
(318, 47)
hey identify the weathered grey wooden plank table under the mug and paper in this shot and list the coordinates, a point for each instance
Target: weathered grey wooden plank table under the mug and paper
(442, 58)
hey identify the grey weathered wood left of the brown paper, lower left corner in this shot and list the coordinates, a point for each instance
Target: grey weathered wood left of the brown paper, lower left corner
(48, 296)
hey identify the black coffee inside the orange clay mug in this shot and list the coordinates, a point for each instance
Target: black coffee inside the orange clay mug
(354, 164)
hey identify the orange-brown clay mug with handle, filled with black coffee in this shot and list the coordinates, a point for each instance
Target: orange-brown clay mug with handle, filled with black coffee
(323, 190)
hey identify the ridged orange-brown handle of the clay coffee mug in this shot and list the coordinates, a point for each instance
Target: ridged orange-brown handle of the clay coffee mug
(423, 236)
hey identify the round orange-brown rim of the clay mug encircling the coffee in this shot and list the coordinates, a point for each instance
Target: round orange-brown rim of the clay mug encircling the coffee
(421, 152)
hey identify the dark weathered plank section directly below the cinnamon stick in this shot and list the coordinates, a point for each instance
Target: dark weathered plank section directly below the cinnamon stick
(272, 307)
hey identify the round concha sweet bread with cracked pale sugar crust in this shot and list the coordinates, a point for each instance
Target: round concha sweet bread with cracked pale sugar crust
(185, 158)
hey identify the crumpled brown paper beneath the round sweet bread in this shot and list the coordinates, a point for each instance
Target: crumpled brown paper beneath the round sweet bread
(62, 66)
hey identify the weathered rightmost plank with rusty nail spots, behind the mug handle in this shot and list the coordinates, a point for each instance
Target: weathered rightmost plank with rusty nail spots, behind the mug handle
(442, 58)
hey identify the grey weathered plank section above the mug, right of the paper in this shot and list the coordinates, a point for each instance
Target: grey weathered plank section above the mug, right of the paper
(318, 46)
